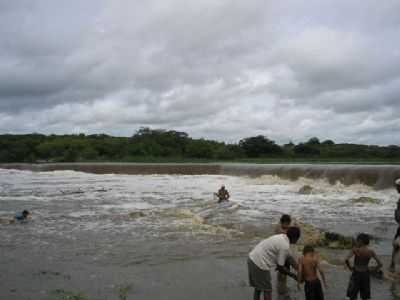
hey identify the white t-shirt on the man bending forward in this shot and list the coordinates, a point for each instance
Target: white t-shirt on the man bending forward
(271, 252)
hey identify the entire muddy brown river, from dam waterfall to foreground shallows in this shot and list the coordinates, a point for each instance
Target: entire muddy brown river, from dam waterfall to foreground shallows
(154, 231)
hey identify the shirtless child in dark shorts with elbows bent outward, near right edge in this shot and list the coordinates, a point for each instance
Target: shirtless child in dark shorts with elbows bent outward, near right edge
(360, 276)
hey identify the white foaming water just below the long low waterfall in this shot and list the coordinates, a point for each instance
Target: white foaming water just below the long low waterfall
(84, 196)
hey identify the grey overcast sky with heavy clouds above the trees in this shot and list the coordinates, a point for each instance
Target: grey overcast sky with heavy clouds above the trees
(217, 69)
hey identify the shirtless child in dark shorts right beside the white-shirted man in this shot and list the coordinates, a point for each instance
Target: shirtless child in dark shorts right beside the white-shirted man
(309, 267)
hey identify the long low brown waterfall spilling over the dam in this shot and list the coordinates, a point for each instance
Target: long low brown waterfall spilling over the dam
(377, 176)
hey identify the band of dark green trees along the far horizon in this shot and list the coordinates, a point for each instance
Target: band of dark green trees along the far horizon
(168, 145)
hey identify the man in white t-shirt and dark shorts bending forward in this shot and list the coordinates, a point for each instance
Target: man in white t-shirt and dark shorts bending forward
(267, 256)
